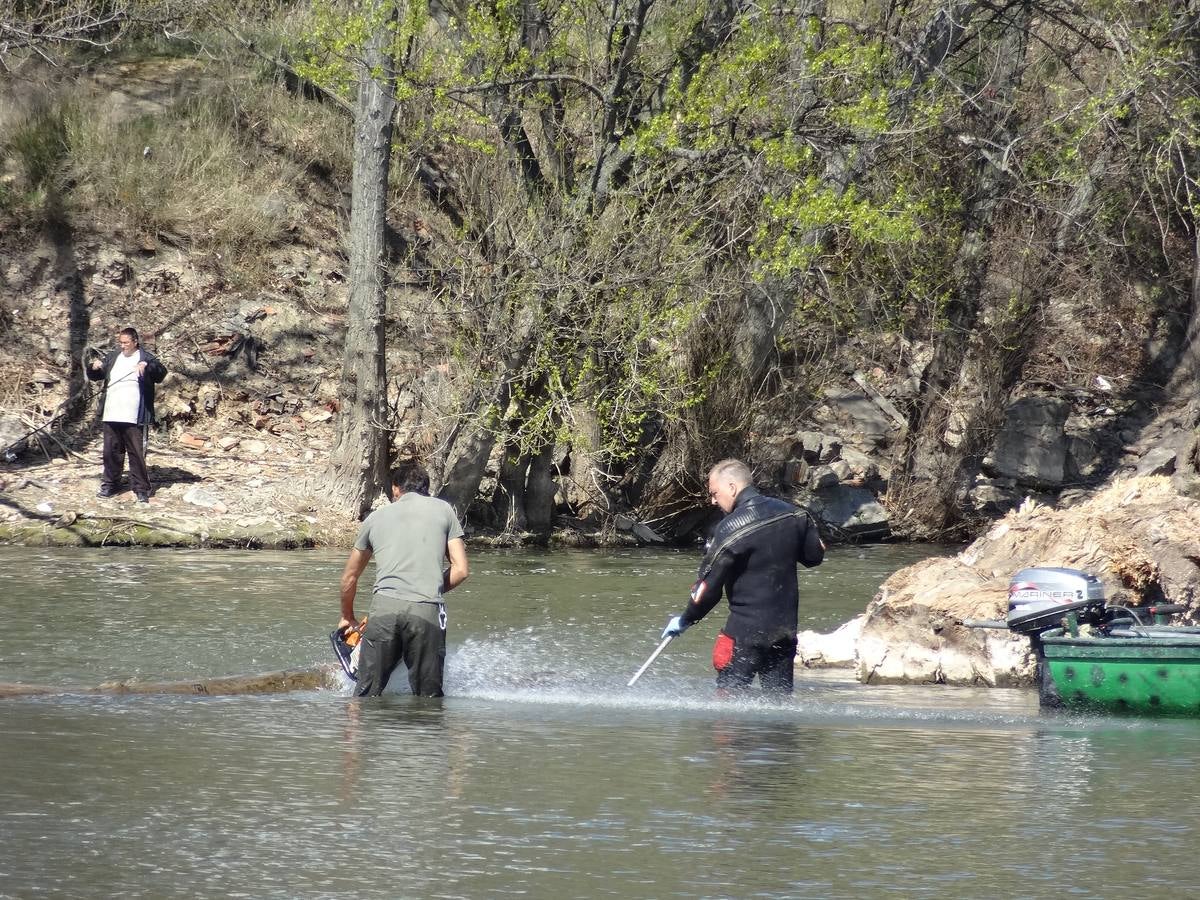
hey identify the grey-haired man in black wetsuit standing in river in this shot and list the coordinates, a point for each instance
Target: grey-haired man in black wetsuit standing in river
(753, 559)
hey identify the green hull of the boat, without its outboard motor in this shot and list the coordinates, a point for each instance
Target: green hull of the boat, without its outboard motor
(1154, 674)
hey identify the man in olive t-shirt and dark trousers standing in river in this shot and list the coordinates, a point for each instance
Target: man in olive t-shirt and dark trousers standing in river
(410, 539)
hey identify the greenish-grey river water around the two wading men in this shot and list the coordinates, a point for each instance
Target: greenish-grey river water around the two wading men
(542, 775)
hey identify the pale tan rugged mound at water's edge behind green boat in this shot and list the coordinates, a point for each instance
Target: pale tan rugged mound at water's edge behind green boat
(1141, 537)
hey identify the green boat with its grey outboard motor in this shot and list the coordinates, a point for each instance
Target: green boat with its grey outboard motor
(1101, 658)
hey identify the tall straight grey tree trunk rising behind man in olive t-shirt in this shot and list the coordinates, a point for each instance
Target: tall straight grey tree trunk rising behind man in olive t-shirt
(359, 460)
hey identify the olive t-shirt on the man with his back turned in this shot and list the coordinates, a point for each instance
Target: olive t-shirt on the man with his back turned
(407, 541)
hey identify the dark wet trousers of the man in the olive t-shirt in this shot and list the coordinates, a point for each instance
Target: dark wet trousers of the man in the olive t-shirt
(417, 637)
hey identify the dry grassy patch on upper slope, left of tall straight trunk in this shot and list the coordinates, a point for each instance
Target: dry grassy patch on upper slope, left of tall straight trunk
(199, 142)
